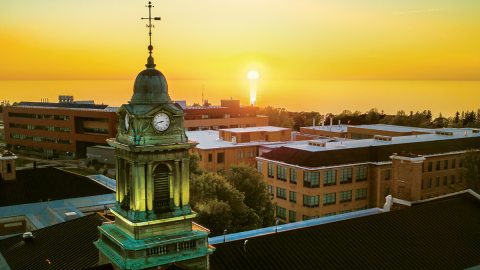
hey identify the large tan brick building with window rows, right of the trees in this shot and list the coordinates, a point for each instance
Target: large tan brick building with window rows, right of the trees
(318, 178)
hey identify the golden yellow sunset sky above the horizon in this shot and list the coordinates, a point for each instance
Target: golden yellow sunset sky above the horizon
(222, 40)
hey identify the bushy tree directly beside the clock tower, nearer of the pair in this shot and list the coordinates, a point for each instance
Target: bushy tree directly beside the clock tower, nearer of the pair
(219, 204)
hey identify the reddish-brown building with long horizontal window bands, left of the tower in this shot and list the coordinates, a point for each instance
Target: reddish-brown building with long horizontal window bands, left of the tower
(58, 130)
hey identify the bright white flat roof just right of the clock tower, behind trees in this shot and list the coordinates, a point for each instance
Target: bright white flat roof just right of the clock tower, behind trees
(209, 139)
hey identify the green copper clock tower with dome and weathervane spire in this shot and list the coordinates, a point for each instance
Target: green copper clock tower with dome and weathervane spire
(153, 220)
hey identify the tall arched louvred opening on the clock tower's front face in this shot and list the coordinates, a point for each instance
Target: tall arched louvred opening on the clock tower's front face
(161, 187)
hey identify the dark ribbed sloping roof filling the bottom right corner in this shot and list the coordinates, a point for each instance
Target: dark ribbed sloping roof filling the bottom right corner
(440, 234)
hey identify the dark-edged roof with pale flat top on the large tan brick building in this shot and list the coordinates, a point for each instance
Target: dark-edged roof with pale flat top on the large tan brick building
(370, 150)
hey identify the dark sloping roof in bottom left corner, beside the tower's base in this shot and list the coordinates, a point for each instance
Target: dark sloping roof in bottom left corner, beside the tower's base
(67, 245)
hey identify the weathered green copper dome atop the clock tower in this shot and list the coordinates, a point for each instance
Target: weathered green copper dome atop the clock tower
(150, 86)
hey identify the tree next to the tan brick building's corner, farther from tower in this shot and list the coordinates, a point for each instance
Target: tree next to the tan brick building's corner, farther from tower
(250, 182)
